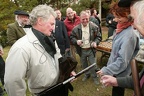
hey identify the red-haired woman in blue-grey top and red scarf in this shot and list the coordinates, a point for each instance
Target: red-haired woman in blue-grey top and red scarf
(124, 48)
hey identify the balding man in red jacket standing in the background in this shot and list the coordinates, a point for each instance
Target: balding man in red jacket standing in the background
(70, 22)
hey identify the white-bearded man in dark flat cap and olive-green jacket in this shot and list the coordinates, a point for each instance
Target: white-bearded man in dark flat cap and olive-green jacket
(18, 29)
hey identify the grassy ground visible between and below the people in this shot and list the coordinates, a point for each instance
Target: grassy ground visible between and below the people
(87, 88)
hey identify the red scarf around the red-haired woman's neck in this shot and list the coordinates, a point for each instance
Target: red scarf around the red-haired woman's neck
(122, 26)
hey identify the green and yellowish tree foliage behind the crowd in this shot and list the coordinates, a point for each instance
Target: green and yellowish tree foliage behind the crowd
(7, 8)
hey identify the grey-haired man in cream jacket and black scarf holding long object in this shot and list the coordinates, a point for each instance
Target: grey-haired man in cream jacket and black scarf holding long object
(34, 57)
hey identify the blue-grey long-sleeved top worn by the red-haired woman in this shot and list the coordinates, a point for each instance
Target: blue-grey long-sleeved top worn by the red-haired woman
(125, 47)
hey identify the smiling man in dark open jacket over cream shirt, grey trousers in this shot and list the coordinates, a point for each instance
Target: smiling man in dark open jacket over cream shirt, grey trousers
(85, 37)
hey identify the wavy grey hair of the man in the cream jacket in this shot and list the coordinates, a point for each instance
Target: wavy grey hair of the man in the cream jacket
(42, 11)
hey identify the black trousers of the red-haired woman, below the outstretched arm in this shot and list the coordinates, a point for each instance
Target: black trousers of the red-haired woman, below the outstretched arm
(118, 91)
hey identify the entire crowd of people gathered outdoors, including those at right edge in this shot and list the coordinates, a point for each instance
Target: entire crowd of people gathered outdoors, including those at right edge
(40, 38)
